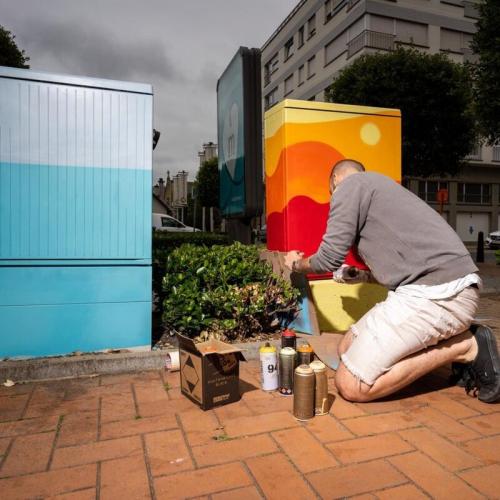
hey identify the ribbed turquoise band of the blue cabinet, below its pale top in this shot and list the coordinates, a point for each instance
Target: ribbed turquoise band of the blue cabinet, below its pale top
(74, 212)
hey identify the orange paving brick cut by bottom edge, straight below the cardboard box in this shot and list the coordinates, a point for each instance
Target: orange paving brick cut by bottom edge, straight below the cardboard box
(202, 482)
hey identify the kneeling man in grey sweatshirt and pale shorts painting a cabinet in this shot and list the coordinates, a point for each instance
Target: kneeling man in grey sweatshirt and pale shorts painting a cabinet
(426, 320)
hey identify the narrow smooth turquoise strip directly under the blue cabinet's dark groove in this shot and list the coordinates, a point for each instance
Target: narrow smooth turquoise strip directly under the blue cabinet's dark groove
(74, 285)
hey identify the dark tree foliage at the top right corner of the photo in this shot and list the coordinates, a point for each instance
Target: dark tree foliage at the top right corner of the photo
(486, 43)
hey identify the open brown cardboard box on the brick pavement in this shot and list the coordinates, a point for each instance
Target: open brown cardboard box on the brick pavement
(210, 372)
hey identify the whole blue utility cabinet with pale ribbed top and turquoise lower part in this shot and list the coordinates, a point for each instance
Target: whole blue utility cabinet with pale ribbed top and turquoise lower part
(75, 213)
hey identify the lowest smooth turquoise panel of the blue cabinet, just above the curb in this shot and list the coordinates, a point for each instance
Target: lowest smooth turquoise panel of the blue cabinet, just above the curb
(51, 330)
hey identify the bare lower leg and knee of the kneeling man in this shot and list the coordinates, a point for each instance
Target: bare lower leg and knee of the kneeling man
(461, 348)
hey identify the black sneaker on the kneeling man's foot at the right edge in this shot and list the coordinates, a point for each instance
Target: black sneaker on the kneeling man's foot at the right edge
(484, 372)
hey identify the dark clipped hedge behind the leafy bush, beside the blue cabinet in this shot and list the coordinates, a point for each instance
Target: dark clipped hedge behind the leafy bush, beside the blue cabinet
(164, 243)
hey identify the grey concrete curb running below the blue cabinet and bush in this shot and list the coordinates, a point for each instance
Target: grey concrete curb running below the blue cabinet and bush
(27, 370)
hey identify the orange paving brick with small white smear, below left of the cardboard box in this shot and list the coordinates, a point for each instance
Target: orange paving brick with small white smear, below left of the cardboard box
(167, 452)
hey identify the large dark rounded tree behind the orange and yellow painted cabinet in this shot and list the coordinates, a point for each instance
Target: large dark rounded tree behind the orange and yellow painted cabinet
(434, 96)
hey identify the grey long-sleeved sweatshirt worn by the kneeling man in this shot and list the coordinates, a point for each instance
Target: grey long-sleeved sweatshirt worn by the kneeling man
(401, 238)
